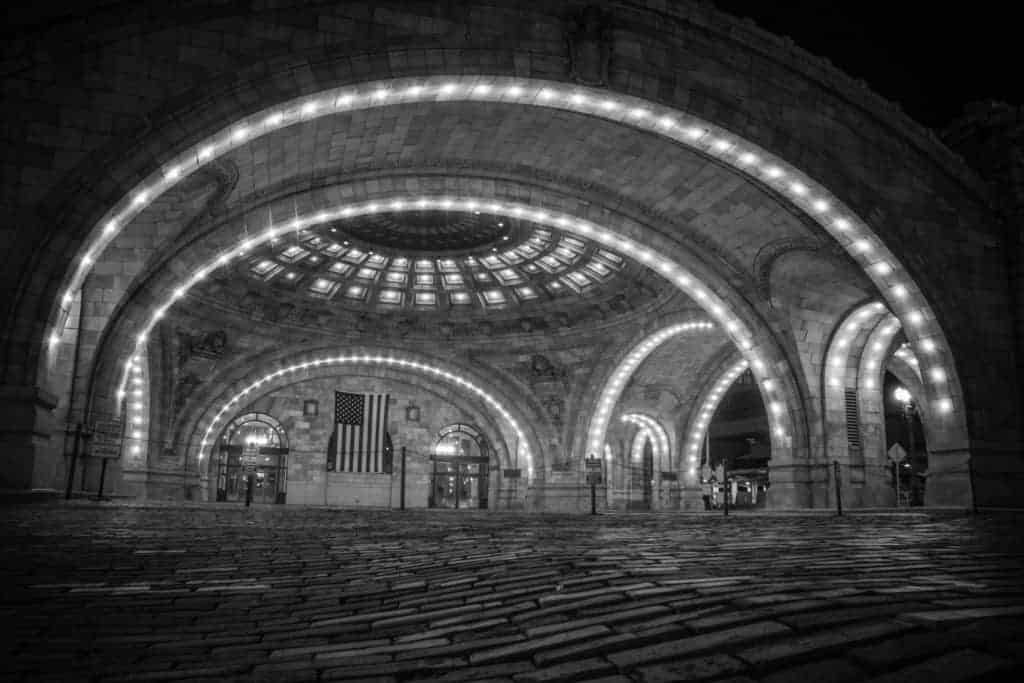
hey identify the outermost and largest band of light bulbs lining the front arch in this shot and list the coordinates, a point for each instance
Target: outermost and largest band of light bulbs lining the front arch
(882, 267)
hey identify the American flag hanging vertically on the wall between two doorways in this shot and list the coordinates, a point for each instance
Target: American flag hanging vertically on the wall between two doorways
(361, 432)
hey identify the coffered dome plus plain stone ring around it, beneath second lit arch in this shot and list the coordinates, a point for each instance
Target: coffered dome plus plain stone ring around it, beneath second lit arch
(460, 265)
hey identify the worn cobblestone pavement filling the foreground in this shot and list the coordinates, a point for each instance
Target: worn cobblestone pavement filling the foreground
(102, 592)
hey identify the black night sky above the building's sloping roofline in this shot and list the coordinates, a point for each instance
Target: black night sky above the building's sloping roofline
(932, 62)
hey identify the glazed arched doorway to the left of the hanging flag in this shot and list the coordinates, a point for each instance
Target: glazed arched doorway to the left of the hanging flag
(253, 446)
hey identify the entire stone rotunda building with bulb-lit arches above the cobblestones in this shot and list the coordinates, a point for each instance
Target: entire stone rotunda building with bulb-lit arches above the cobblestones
(505, 258)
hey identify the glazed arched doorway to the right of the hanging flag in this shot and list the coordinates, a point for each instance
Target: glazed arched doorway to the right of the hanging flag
(460, 477)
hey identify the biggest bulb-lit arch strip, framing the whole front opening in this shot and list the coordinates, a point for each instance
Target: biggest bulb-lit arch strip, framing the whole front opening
(860, 241)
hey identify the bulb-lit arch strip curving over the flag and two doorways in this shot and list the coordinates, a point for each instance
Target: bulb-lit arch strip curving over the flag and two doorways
(366, 359)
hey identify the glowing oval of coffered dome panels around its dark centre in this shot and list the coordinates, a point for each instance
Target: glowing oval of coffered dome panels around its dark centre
(432, 262)
